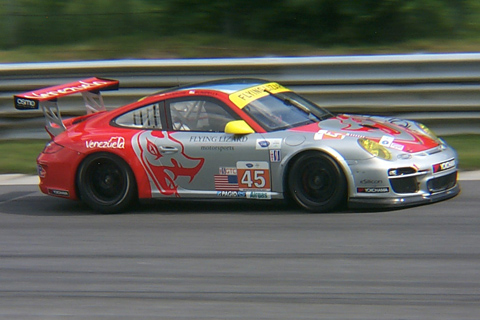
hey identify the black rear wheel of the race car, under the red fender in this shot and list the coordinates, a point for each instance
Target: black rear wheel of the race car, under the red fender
(106, 183)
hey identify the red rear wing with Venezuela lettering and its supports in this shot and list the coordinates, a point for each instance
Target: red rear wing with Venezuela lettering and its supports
(46, 99)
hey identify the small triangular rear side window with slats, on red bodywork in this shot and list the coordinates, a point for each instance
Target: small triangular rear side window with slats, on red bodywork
(147, 117)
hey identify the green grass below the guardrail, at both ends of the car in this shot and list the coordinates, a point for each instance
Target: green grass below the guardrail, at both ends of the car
(20, 156)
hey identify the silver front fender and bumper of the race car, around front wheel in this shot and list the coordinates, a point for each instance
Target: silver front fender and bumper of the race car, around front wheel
(369, 182)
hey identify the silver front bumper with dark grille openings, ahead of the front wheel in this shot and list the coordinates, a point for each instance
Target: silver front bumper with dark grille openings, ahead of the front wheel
(415, 179)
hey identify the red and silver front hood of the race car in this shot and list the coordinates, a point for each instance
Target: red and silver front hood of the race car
(402, 135)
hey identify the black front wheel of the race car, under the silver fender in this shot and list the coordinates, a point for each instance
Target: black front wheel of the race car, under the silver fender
(317, 183)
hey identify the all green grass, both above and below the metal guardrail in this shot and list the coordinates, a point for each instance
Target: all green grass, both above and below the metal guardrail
(19, 156)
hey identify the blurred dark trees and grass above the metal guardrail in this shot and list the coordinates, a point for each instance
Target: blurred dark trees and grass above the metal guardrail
(33, 30)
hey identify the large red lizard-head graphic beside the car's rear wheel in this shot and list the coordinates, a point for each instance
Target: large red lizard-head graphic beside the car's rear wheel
(163, 169)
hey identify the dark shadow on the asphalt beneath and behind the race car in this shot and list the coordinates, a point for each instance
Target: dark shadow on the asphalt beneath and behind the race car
(30, 202)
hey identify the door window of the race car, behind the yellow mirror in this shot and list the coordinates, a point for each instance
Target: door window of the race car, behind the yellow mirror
(198, 115)
